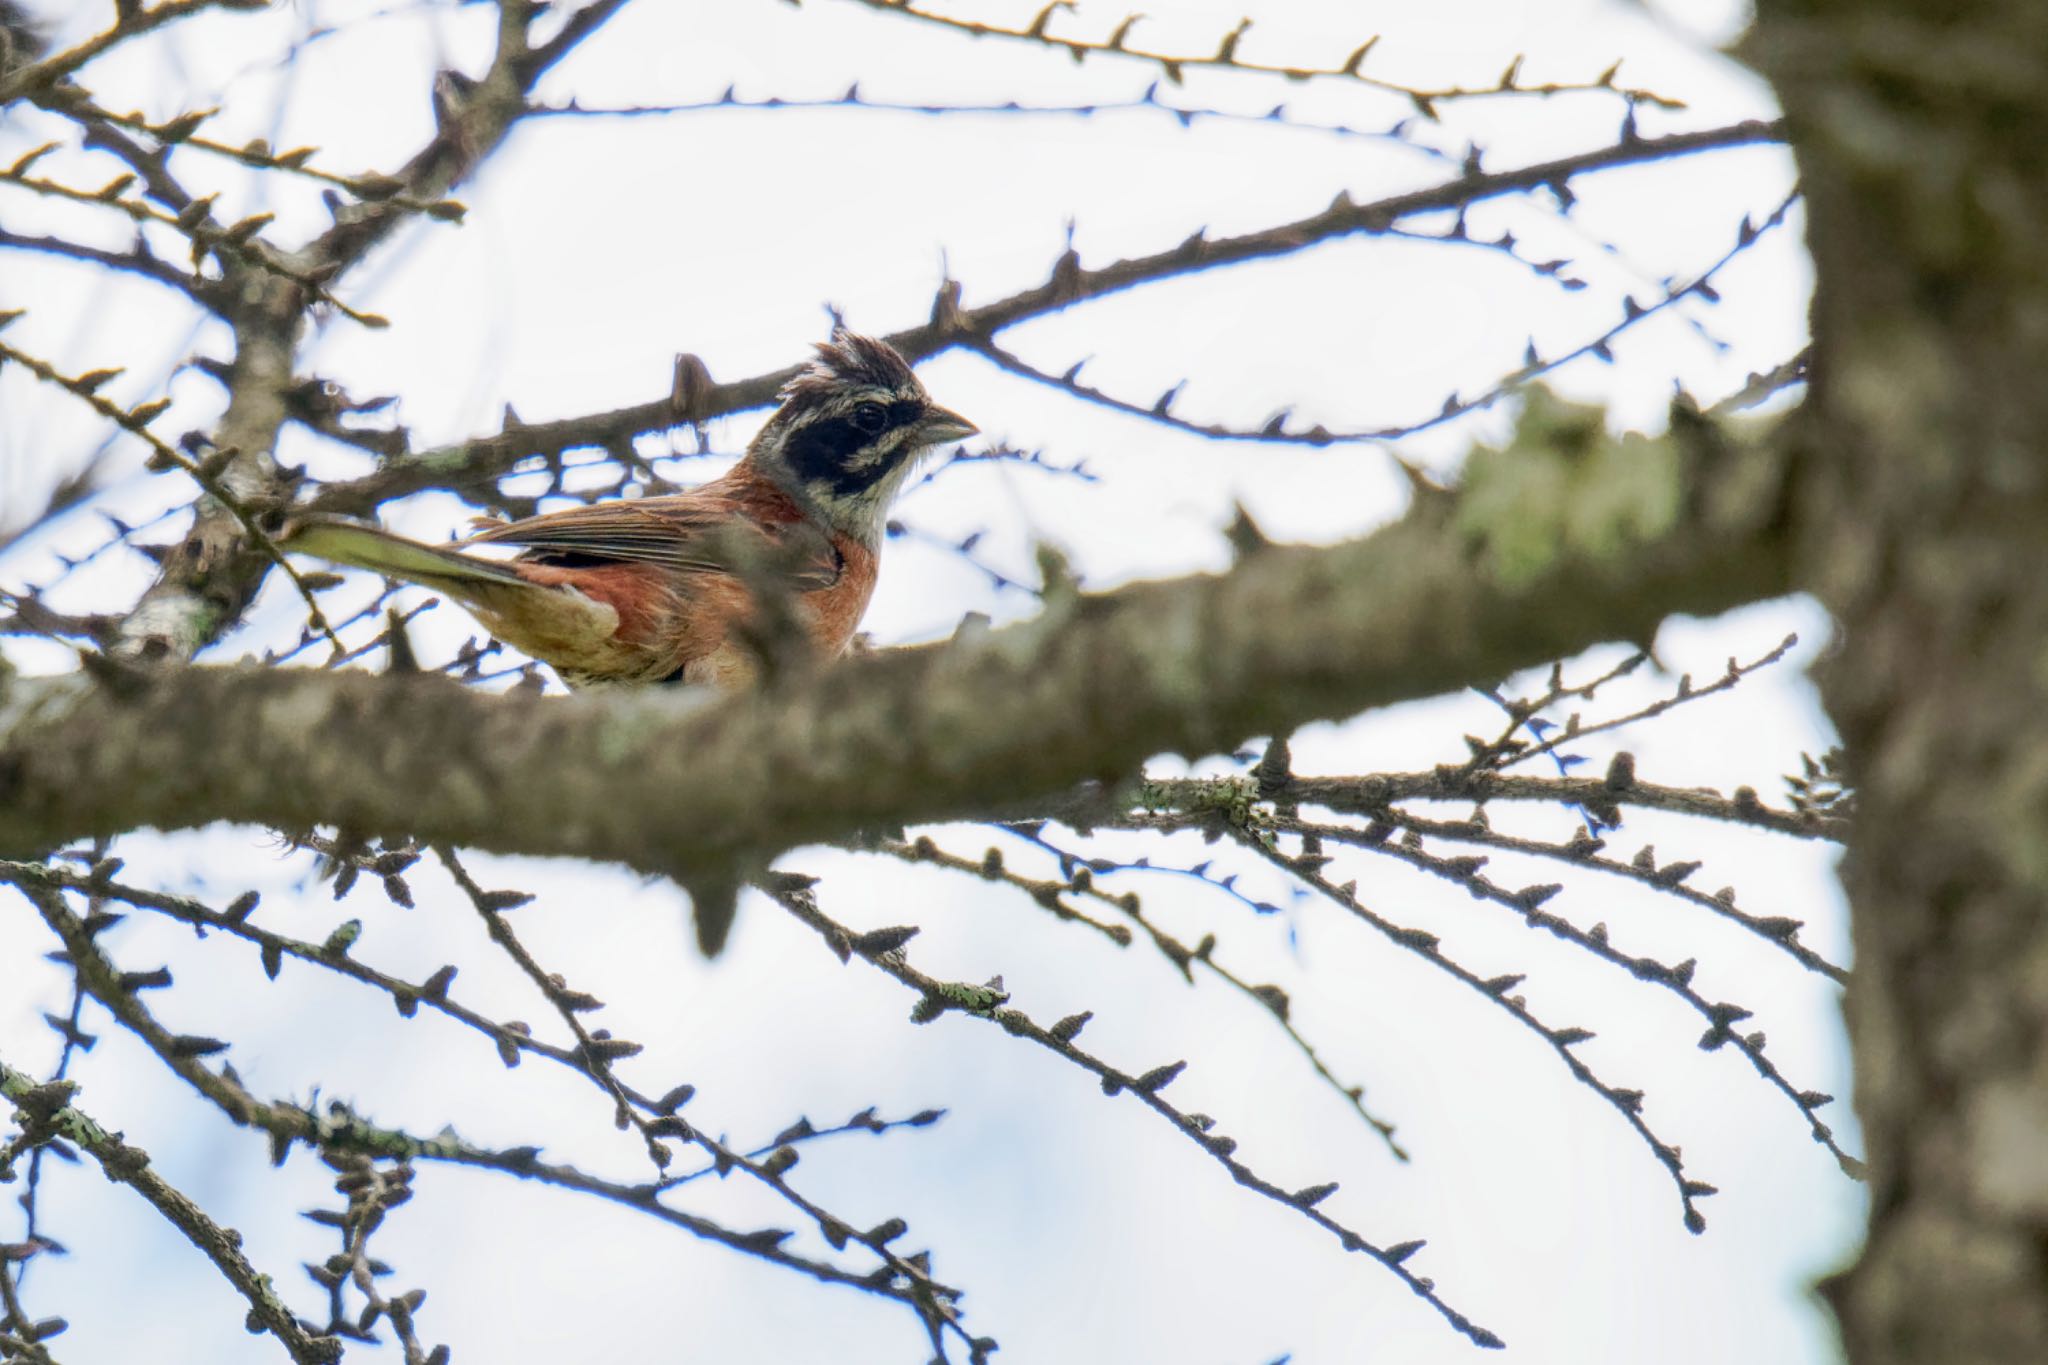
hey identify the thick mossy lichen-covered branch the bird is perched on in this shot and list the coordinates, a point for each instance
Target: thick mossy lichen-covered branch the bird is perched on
(1467, 588)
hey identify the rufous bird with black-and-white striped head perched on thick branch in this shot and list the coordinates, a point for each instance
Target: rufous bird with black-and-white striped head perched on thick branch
(681, 588)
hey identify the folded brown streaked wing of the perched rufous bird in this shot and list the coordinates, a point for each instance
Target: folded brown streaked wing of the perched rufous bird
(685, 533)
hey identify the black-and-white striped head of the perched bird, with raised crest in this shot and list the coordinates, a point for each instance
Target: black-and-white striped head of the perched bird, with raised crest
(851, 429)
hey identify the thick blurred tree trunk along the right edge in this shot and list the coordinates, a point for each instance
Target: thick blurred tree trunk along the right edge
(1922, 132)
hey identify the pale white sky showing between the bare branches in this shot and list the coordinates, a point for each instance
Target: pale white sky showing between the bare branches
(1082, 1227)
